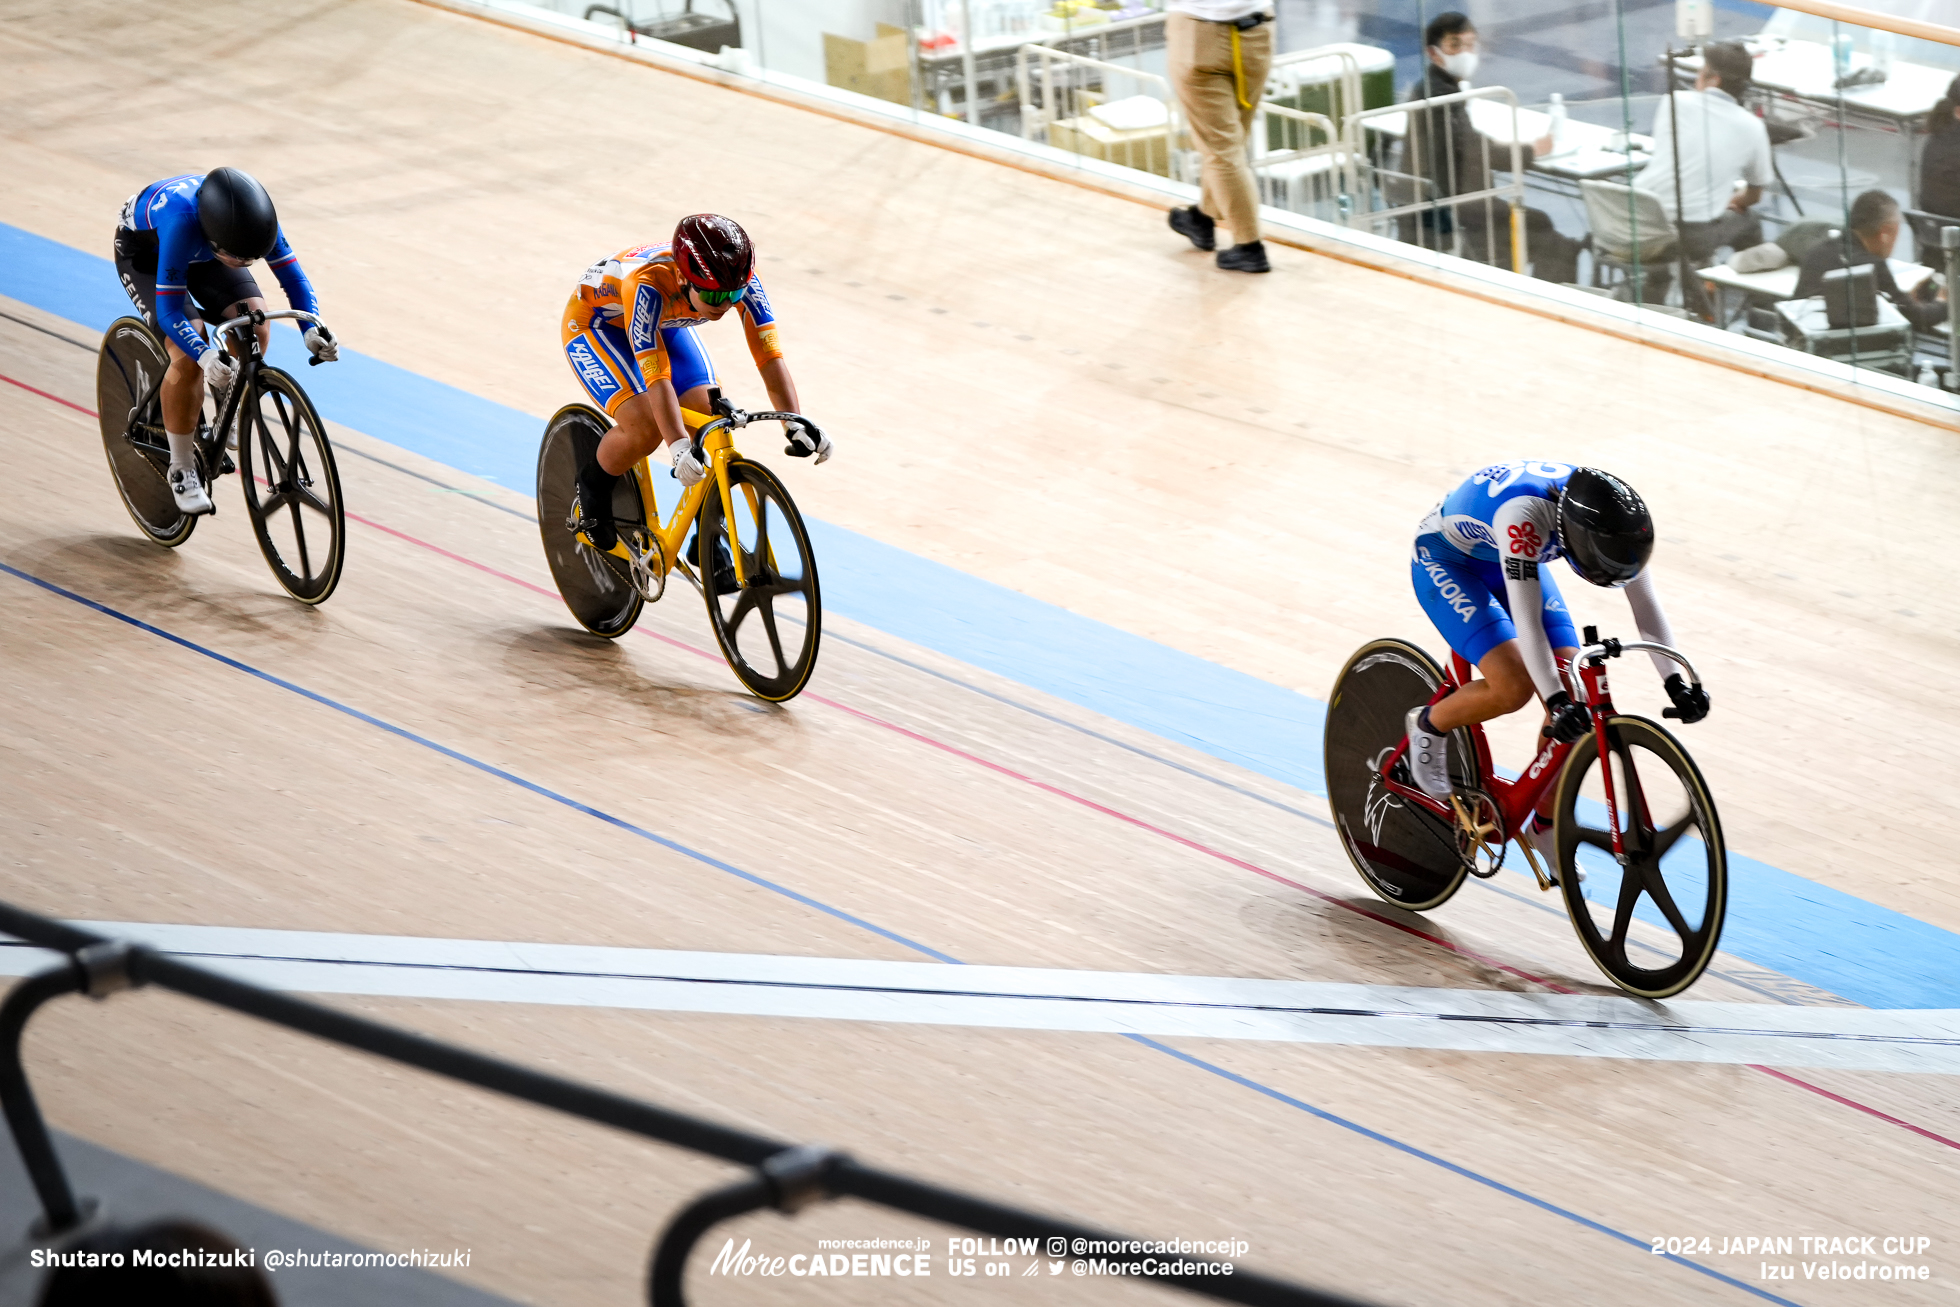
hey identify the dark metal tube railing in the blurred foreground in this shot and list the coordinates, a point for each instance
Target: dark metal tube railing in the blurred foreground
(785, 1177)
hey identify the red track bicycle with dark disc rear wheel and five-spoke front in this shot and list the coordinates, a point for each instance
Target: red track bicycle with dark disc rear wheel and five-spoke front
(1630, 810)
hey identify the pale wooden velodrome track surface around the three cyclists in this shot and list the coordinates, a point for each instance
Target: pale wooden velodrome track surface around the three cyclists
(1018, 375)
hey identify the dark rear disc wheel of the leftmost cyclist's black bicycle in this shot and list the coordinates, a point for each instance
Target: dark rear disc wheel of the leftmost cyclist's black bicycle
(128, 369)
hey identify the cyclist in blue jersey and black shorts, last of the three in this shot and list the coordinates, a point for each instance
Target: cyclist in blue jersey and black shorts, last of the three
(183, 250)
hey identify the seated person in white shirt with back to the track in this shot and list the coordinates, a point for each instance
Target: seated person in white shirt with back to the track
(1722, 146)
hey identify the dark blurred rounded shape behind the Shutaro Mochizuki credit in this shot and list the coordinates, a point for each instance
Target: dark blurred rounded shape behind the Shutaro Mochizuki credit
(89, 1273)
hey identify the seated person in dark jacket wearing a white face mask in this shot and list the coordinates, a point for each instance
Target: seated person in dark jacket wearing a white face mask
(1453, 158)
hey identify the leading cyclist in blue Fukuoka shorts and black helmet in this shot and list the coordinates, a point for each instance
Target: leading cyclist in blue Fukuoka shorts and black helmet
(1479, 571)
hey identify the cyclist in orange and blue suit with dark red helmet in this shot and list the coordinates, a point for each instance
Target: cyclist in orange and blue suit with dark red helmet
(630, 338)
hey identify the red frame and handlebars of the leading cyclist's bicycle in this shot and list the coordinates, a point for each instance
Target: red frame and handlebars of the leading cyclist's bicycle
(1516, 800)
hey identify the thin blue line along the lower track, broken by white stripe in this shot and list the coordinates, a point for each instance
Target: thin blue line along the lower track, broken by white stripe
(857, 922)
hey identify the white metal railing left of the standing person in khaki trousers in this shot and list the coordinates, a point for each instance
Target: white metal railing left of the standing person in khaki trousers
(1059, 99)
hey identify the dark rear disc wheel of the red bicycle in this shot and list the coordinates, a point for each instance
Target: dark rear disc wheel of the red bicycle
(1406, 853)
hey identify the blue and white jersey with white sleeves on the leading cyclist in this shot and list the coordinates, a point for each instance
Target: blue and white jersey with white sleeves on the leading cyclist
(1508, 514)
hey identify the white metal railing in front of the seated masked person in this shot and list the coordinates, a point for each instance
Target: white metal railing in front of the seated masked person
(1422, 199)
